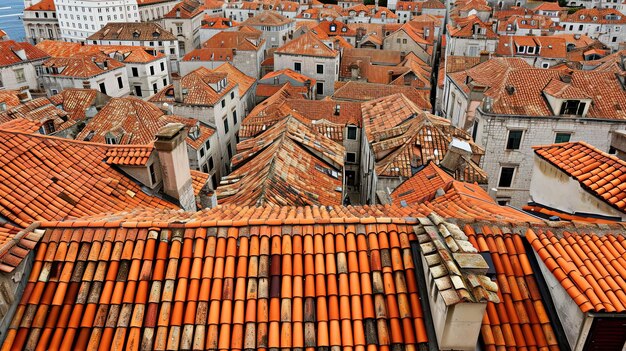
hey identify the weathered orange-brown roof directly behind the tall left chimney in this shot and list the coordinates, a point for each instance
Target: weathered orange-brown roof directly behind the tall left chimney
(135, 121)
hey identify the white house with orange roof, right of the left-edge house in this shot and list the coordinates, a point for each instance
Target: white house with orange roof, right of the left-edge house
(91, 71)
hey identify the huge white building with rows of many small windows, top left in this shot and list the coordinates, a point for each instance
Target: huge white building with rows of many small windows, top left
(80, 19)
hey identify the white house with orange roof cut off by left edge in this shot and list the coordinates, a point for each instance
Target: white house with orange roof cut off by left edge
(20, 64)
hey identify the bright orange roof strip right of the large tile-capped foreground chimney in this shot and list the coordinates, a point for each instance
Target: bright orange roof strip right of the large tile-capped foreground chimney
(519, 321)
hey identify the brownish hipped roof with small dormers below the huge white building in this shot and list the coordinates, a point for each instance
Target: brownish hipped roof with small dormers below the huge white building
(133, 31)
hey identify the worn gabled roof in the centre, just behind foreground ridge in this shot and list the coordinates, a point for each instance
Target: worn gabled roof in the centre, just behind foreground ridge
(287, 165)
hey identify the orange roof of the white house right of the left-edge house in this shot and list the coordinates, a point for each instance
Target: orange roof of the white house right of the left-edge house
(82, 65)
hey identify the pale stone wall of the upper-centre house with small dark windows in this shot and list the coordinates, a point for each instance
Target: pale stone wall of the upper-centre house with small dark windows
(309, 68)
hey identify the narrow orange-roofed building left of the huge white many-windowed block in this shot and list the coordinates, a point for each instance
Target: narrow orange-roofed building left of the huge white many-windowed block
(40, 22)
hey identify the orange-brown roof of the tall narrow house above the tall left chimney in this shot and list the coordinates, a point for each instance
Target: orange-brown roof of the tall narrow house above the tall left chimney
(199, 91)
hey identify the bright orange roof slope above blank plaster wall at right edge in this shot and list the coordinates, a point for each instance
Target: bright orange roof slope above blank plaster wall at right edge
(599, 173)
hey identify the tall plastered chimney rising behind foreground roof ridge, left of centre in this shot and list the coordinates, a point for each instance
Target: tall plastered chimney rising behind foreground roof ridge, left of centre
(172, 150)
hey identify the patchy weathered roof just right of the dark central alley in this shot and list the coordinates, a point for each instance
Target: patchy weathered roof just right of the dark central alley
(404, 137)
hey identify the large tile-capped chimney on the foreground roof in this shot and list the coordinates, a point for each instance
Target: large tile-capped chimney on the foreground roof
(457, 281)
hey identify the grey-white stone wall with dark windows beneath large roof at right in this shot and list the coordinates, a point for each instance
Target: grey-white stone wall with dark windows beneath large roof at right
(493, 133)
